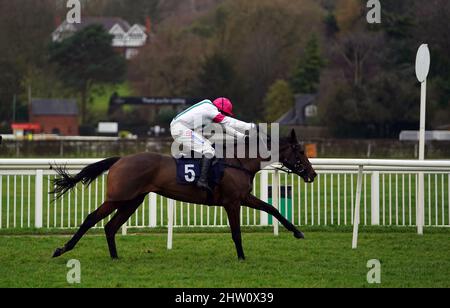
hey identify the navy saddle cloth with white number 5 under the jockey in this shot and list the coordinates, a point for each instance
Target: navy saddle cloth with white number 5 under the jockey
(189, 169)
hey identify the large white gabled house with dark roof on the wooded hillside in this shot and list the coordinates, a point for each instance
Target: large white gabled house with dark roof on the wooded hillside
(127, 39)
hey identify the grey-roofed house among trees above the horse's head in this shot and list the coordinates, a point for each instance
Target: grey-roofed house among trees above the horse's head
(305, 109)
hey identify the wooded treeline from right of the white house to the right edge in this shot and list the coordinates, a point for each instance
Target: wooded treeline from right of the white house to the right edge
(261, 53)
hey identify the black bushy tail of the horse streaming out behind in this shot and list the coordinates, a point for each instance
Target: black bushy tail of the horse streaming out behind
(66, 182)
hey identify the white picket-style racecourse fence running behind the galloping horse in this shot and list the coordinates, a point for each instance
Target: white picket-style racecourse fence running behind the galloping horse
(387, 197)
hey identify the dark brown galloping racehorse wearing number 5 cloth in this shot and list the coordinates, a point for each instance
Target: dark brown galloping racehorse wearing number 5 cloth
(131, 178)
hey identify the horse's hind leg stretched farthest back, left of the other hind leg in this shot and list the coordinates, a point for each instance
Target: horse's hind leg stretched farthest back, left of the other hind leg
(102, 212)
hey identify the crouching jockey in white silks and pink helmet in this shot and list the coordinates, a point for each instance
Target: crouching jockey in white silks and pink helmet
(187, 126)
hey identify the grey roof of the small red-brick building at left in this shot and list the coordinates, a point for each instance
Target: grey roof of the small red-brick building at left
(60, 107)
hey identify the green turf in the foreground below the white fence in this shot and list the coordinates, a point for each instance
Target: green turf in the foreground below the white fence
(209, 260)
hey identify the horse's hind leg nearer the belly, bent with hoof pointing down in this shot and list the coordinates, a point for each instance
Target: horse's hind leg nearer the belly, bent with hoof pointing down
(122, 215)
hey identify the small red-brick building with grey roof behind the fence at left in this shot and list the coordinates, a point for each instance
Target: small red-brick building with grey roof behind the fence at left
(55, 116)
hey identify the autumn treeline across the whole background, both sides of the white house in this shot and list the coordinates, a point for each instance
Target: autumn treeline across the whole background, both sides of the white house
(260, 53)
